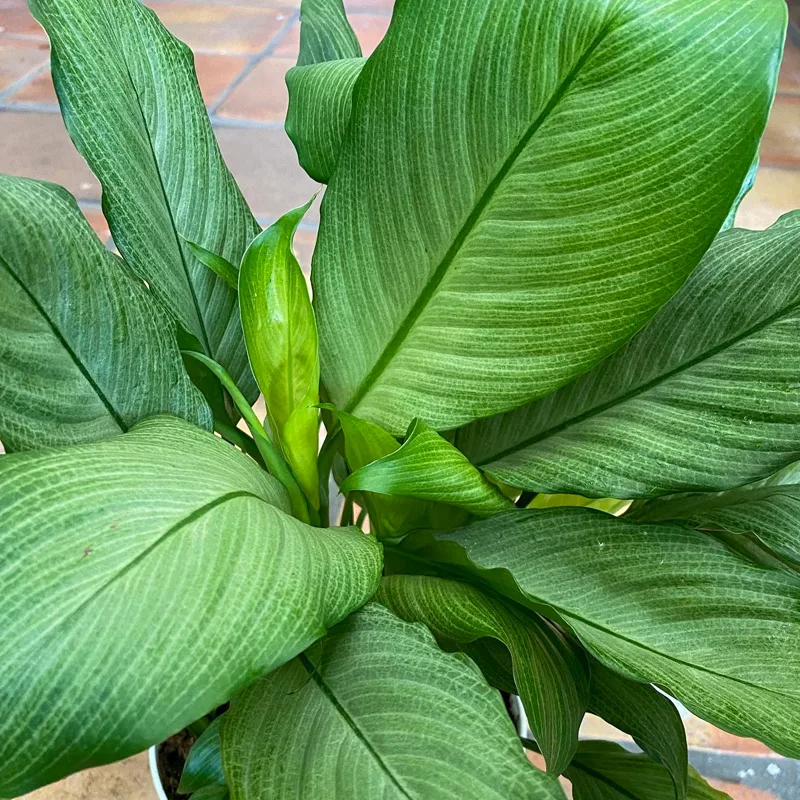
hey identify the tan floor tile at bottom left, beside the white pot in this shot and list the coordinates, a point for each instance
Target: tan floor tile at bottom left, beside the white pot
(125, 780)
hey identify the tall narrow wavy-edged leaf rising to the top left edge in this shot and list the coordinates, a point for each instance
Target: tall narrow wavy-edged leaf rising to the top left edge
(130, 100)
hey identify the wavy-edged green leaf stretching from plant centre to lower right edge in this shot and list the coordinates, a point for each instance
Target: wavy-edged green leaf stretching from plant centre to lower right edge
(659, 604)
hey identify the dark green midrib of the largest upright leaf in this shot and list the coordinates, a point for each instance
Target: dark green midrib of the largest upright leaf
(472, 220)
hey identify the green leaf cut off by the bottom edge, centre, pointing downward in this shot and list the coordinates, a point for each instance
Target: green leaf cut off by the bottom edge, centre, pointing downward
(376, 710)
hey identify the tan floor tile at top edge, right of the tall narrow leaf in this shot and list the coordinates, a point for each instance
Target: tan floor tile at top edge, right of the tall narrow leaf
(220, 28)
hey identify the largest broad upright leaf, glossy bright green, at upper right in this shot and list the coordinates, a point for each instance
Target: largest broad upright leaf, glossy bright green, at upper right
(518, 198)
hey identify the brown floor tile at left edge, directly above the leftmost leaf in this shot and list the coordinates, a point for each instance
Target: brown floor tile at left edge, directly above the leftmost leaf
(36, 145)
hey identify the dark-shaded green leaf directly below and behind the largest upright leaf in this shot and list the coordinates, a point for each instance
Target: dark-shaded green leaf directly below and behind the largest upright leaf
(705, 397)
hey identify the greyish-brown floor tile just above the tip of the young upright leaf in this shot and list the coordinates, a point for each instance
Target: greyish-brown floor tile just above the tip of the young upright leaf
(264, 162)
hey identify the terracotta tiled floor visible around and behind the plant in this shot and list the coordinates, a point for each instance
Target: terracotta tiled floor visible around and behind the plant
(243, 49)
